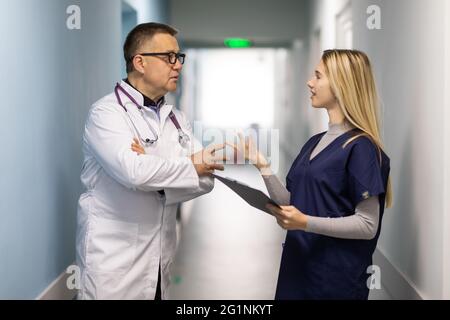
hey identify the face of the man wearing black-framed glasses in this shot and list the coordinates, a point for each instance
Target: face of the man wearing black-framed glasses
(160, 76)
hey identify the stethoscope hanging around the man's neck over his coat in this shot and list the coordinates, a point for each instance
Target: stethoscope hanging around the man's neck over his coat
(183, 138)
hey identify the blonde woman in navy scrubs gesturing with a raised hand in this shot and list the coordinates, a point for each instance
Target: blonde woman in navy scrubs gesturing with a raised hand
(336, 189)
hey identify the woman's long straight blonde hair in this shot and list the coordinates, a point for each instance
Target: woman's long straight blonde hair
(353, 84)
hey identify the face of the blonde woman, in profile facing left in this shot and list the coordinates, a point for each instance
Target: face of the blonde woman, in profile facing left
(321, 95)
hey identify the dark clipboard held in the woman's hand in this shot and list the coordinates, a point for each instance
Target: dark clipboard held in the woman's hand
(254, 197)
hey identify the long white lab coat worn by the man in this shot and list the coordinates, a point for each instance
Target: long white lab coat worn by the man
(125, 228)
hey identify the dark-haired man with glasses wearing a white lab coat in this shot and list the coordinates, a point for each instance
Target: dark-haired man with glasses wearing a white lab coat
(126, 232)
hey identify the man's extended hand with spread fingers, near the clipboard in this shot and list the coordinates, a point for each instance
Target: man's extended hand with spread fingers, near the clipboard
(205, 160)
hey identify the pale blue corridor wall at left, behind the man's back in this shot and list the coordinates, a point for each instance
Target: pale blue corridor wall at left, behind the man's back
(51, 76)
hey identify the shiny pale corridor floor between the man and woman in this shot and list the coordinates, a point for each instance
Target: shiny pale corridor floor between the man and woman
(227, 249)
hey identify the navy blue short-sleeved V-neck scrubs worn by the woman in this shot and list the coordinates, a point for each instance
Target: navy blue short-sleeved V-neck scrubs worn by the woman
(332, 184)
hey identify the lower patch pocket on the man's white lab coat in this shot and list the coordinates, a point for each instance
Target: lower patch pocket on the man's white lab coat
(111, 245)
